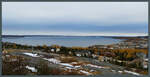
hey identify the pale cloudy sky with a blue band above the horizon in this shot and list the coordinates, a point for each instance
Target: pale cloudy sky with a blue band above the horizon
(75, 18)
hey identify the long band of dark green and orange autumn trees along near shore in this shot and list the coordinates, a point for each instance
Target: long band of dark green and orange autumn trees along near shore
(120, 54)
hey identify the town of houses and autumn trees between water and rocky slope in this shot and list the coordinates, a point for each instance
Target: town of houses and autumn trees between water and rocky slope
(129, 53)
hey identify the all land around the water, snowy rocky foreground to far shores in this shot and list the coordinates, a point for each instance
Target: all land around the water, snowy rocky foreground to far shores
(130, 56)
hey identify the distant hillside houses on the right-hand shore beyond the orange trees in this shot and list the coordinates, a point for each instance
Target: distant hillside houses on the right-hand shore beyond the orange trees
(136, 44)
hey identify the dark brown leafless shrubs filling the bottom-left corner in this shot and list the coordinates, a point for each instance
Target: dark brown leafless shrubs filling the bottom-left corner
(14, 67)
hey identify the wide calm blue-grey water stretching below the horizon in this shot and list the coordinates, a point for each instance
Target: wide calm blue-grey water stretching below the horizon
(68, 41)
